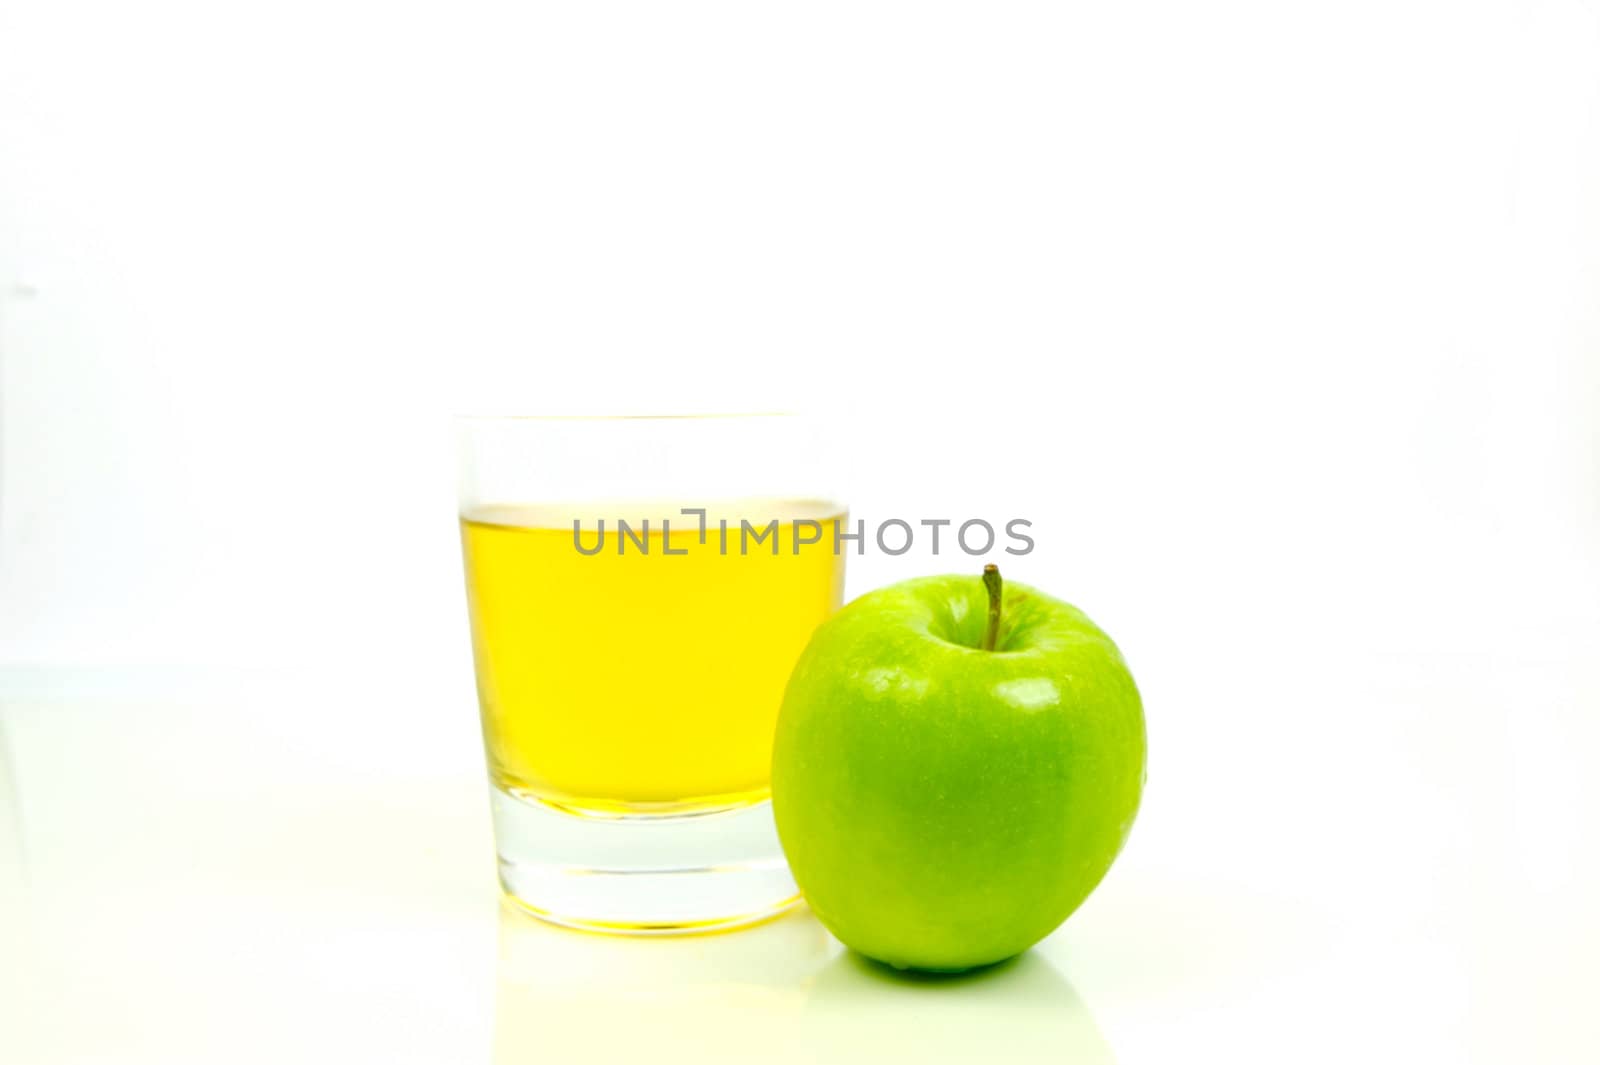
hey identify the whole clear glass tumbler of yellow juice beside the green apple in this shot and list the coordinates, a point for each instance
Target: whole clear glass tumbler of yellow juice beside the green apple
(639, 591)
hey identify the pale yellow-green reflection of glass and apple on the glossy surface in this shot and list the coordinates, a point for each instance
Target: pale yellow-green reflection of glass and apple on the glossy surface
(782, 992)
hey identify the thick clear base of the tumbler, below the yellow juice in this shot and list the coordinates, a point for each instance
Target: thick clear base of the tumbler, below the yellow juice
(642, 876)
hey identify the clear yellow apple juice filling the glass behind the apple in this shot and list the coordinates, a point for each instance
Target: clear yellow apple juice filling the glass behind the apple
(639, 677)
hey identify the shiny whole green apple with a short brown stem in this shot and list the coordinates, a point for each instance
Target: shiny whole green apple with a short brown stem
(956, 768)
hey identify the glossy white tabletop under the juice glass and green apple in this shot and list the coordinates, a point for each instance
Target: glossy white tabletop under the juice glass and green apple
(193, 874)
